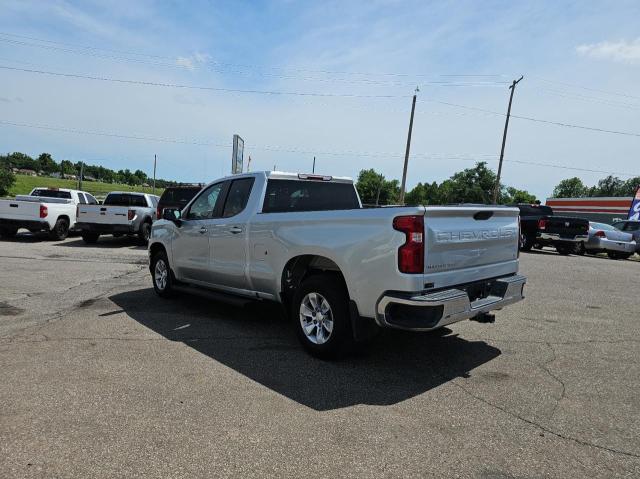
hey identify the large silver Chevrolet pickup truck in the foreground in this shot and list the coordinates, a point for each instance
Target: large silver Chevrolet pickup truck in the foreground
(340, 270)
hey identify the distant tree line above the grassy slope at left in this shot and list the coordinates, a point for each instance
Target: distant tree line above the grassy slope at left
(48, 166)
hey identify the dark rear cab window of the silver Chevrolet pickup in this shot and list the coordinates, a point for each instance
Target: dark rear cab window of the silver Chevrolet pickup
(304, 195)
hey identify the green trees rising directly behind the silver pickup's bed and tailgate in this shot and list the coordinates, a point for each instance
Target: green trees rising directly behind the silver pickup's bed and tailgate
(472, 185)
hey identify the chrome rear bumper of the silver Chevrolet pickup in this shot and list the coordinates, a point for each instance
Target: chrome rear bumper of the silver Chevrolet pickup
(424, 312)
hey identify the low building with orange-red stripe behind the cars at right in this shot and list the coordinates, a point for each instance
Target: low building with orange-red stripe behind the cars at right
(602, 210)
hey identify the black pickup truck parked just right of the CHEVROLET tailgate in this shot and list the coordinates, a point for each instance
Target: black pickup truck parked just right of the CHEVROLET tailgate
(539, 227)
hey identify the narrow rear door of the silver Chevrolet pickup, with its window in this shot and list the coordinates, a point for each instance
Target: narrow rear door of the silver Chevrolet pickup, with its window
(228, 243)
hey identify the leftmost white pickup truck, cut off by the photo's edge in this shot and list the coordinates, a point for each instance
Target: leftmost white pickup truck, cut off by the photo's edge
(44, 209)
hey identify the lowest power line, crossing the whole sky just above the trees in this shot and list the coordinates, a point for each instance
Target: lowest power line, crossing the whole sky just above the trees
(470, 157)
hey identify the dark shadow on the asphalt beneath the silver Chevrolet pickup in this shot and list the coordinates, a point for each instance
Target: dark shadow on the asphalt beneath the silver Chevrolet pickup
(258, 343)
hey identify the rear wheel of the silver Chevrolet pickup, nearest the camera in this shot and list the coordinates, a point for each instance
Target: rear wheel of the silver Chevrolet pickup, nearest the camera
(327, 289)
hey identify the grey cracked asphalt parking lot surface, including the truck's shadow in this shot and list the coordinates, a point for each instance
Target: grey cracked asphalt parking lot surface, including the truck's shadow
(100, 378)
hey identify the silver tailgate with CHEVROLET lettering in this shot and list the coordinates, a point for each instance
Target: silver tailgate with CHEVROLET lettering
(478, 240)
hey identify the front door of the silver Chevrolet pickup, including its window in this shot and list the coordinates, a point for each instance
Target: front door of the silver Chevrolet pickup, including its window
(190, 245)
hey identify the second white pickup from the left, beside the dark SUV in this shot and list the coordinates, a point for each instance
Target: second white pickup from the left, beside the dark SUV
(122, 213)
